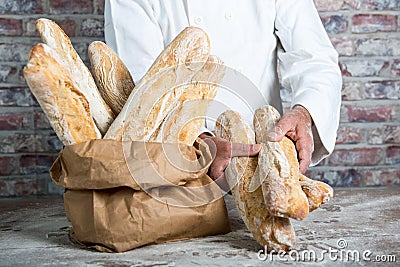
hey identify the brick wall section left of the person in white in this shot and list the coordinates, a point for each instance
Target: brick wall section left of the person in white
(28, 145)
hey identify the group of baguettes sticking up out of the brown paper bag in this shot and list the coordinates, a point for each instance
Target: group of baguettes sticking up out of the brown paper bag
(167, 105)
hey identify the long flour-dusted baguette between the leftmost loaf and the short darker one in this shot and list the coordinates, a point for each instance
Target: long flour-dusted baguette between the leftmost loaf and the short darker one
(54, 36)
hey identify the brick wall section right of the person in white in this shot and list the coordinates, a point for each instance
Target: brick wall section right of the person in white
(366, 34)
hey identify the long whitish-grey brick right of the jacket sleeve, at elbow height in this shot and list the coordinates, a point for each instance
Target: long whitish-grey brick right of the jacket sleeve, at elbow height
(363, 68)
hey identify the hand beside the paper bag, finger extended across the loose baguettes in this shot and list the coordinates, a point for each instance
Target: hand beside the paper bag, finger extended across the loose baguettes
(222, 151)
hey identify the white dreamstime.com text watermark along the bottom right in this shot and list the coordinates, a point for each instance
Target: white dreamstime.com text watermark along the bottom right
(339, 254)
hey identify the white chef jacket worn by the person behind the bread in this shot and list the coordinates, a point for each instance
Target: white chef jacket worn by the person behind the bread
(244, 34)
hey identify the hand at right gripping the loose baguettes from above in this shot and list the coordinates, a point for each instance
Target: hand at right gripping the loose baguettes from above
(296, 124)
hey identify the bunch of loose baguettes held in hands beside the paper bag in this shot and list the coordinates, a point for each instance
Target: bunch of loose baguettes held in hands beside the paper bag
(269, 190)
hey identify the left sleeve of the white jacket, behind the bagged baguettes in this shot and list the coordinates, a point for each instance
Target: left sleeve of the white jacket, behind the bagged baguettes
(132, 31)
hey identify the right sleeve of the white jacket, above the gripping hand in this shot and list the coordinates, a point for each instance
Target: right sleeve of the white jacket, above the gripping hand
(308, 66)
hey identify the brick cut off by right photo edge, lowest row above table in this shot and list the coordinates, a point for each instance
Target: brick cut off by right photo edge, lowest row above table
(379, 177)
